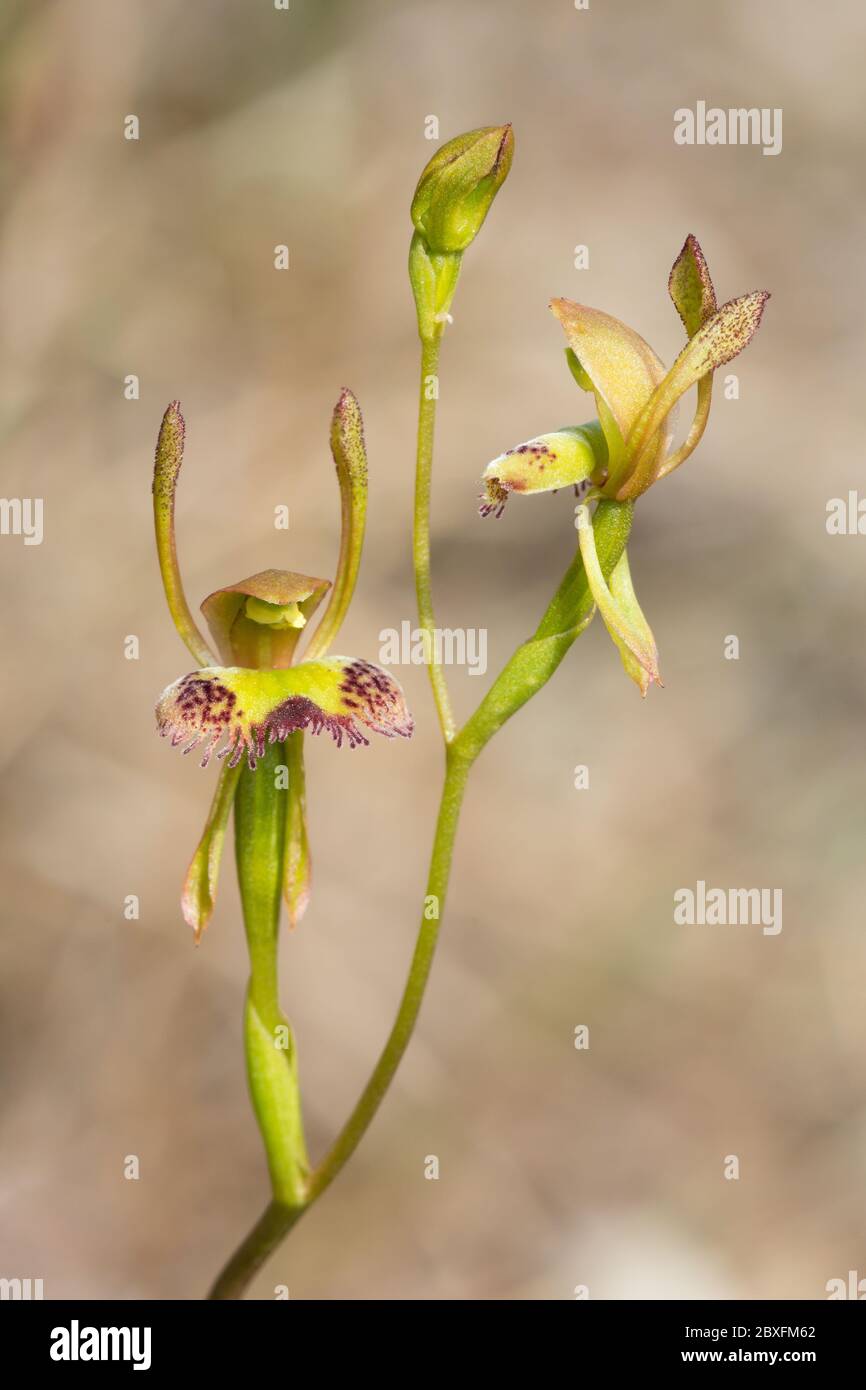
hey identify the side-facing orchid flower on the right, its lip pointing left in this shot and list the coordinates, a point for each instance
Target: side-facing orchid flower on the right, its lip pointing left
(629, 448)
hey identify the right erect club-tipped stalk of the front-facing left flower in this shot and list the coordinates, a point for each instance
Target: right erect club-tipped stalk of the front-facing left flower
(351, 461)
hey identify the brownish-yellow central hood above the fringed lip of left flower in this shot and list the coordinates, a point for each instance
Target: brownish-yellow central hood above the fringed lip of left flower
(277, 600)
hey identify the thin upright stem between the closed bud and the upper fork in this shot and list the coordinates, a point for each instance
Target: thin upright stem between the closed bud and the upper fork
(427, 419)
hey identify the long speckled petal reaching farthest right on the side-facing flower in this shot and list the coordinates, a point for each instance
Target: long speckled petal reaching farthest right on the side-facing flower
(717, 343)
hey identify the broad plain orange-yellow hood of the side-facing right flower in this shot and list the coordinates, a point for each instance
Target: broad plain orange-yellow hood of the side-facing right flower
(622, 369)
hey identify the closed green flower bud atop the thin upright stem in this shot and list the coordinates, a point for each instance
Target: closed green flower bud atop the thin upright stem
(458, 187)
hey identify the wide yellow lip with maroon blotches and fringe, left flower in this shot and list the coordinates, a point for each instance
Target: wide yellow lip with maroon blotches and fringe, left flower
(248, 710)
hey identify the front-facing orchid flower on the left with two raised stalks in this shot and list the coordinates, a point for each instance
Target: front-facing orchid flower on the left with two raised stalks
(261, 696)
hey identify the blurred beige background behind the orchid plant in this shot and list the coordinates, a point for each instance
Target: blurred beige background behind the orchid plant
(155, 258)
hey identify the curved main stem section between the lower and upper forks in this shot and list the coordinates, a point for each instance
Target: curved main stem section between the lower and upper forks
(419, 972)
